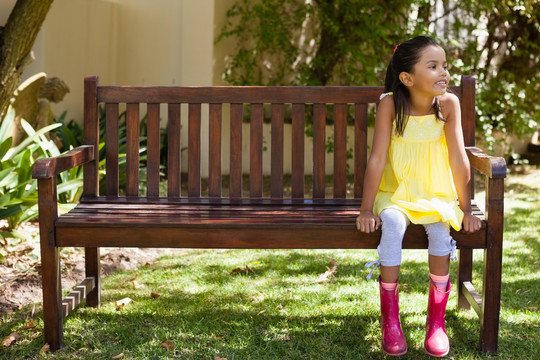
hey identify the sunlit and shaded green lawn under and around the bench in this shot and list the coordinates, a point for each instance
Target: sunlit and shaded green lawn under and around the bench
(281, 311)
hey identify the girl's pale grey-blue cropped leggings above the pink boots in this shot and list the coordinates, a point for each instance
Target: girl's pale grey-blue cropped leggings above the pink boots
(394, 224)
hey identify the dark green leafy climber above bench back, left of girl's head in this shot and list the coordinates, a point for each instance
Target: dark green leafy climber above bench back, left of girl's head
(320, 42)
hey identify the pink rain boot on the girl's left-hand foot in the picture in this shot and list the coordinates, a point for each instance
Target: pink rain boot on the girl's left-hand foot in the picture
(393, 341)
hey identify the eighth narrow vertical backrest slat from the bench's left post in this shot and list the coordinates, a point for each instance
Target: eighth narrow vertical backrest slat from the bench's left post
(255, 151)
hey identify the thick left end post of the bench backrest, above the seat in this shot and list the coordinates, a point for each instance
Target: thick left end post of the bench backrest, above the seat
(91, 136)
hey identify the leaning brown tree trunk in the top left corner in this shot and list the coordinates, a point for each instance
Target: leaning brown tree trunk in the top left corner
(16, 41)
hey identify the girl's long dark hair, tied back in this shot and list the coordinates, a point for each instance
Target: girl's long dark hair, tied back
(406, 55)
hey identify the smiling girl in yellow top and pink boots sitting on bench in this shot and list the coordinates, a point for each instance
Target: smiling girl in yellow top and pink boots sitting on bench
(417, 169)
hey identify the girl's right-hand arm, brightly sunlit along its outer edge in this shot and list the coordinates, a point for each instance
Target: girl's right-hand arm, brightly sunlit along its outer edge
(459, 162)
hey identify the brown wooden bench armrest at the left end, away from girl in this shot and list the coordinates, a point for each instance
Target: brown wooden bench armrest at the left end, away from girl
(50, 167)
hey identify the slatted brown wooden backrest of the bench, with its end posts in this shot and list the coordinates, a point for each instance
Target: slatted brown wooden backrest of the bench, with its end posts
(303, 102)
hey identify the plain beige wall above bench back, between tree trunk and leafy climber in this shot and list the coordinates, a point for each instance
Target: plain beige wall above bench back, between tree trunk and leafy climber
(137, 42)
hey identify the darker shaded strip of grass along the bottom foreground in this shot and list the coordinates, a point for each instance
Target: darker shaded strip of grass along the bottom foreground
(203, 331)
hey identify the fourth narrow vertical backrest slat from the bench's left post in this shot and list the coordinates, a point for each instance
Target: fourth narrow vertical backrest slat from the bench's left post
(173, 151)
